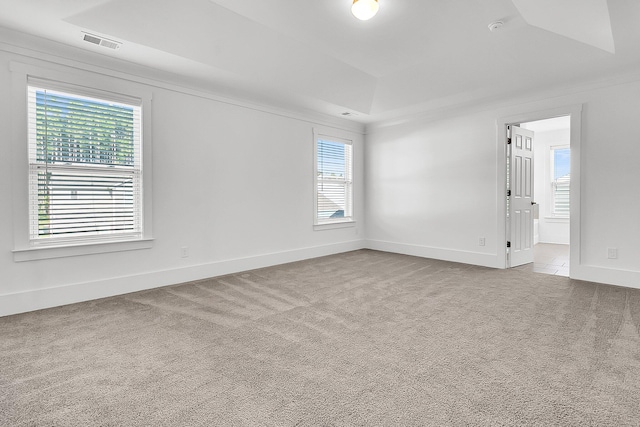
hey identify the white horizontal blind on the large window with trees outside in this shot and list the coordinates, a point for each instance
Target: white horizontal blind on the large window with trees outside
(85, 167)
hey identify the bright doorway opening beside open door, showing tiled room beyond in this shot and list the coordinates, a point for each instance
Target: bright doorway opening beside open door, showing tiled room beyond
(552, 183)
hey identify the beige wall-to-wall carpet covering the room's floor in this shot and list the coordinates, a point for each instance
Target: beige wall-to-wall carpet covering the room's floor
(364, 339)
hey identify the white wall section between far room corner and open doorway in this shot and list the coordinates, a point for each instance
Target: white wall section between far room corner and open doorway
(431, 189)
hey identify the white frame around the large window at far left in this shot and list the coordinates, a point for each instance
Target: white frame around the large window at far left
(82, 83)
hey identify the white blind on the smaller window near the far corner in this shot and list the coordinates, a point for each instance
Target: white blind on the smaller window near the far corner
(334, 181)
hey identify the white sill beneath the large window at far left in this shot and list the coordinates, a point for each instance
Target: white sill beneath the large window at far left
(34, 254)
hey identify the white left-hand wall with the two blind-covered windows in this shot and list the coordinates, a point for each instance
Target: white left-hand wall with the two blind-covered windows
(232, 182)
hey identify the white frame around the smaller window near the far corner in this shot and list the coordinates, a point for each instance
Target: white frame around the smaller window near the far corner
(348, 219)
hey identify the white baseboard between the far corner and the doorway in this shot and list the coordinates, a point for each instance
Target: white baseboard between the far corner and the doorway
(466, 257)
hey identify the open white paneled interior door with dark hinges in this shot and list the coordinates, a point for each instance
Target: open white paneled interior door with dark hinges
(521, 200)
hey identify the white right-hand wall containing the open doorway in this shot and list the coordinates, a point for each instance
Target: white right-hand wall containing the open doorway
(433, 183)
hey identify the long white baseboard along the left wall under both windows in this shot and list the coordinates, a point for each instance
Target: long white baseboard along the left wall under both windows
(38, 299)
